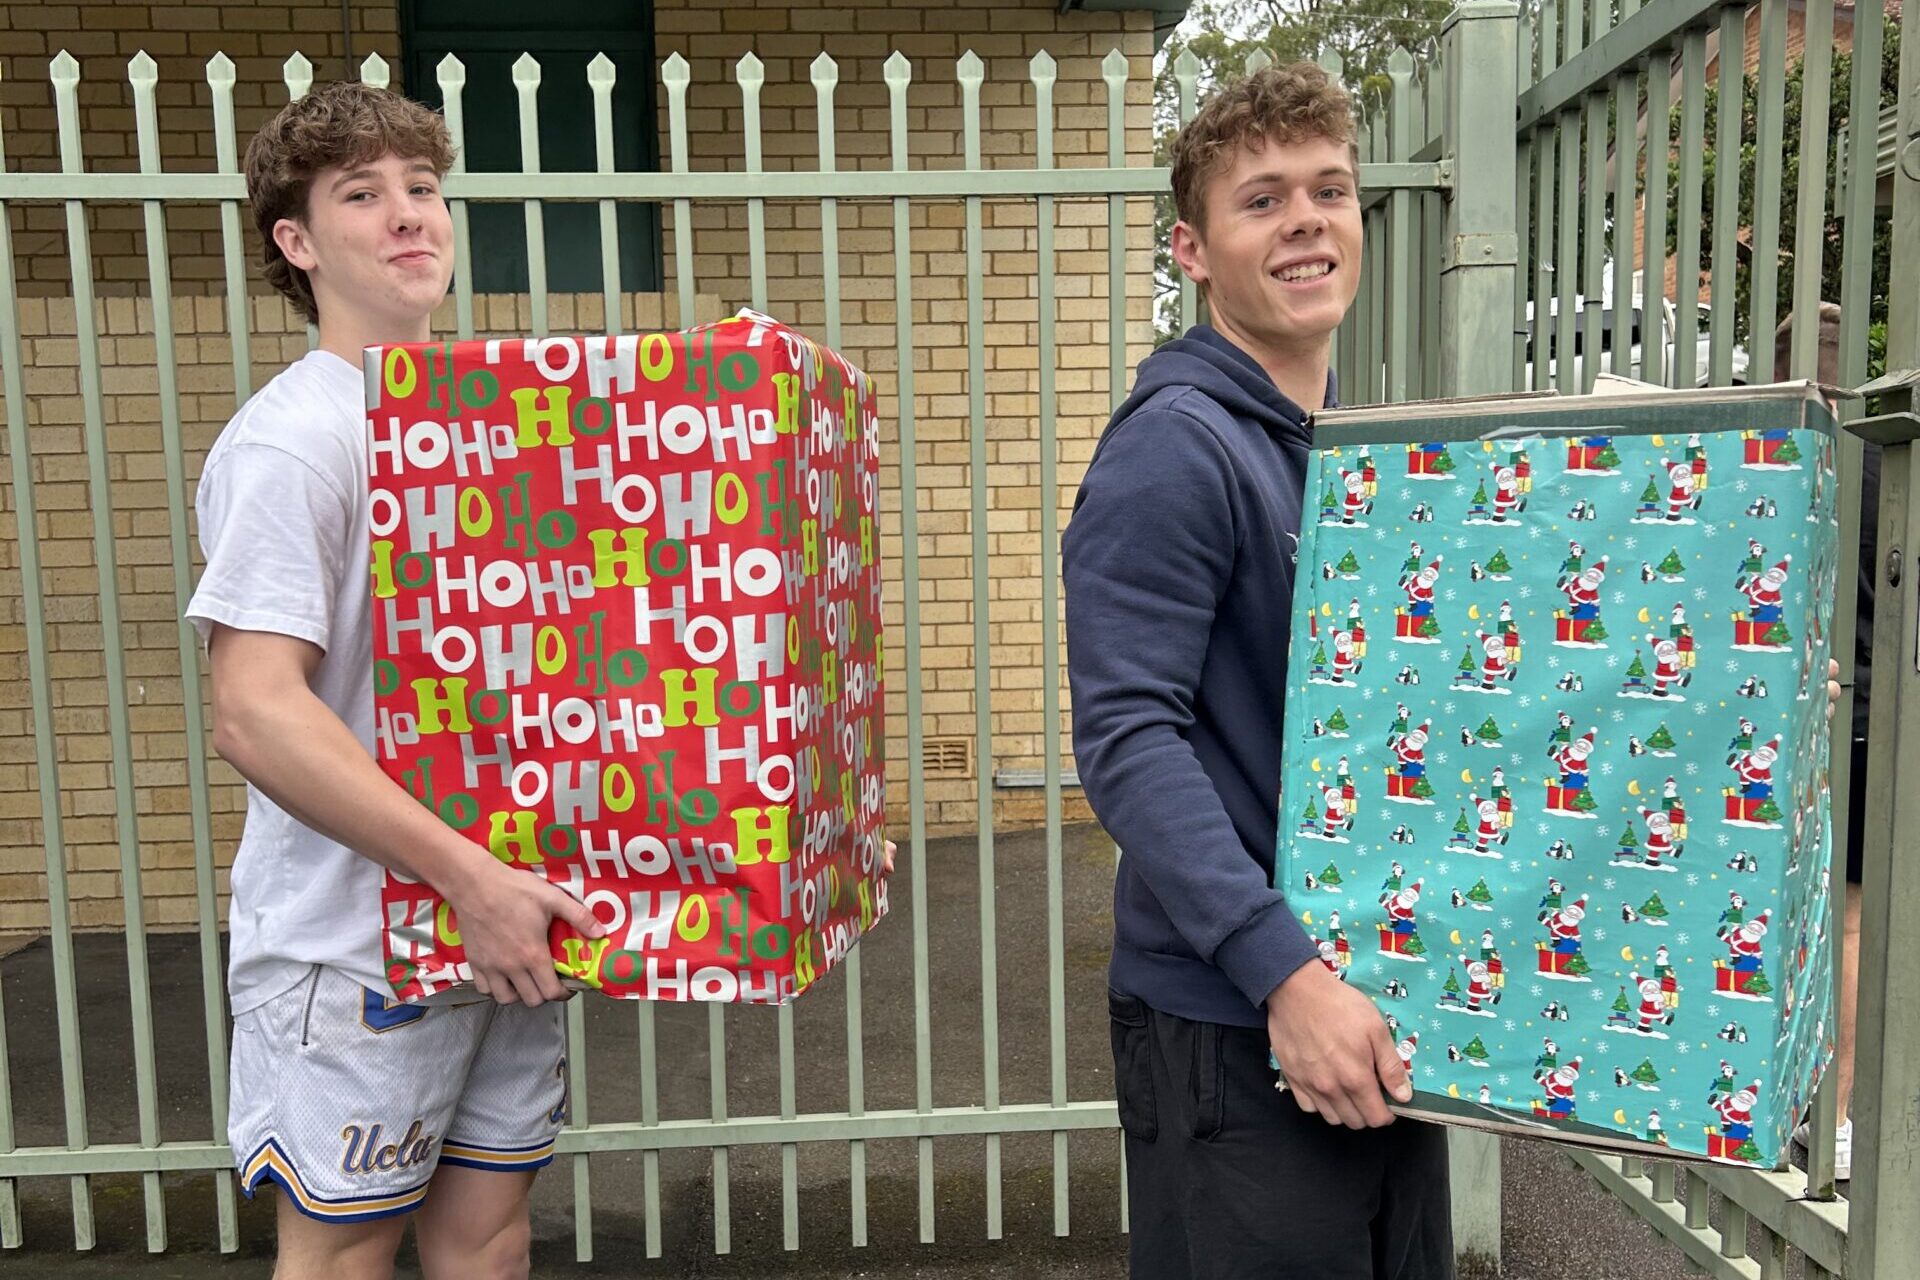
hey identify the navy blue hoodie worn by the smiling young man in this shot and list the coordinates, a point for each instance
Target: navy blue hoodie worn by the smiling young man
(1180, 579)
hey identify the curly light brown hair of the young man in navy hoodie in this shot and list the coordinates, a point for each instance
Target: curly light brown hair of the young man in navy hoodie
(1284, 105)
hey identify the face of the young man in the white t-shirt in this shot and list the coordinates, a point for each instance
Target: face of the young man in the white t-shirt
(377, 247)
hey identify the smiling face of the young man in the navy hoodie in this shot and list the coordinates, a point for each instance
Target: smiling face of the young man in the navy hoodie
(1278, 250)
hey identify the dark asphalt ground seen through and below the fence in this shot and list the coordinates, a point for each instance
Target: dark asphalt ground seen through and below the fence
(1558, 1225)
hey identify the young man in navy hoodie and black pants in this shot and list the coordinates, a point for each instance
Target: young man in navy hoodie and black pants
(1180, 573)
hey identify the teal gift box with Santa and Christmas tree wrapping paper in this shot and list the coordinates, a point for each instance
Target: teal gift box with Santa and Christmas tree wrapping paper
(1556, 786)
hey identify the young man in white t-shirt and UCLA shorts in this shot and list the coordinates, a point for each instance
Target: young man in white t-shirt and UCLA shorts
(360, 1110)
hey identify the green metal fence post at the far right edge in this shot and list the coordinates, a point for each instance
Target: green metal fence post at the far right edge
(1886, 1158)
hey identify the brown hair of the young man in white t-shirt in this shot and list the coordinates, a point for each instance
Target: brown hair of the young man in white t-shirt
(343, 124)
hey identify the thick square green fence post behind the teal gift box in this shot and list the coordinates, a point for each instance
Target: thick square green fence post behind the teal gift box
(1477, 281)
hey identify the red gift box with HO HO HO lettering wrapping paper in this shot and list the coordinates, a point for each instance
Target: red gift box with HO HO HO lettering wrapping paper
(627, 636)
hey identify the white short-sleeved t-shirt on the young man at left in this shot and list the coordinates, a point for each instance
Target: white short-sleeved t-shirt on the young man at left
(283, 523)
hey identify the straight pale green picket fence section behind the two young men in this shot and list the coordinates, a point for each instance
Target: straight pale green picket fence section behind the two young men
(855, 1126)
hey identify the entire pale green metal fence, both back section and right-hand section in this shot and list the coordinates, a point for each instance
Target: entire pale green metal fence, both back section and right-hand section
(1477, 270)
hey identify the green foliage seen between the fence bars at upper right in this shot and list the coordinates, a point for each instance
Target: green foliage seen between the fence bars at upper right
(1838, 114)
